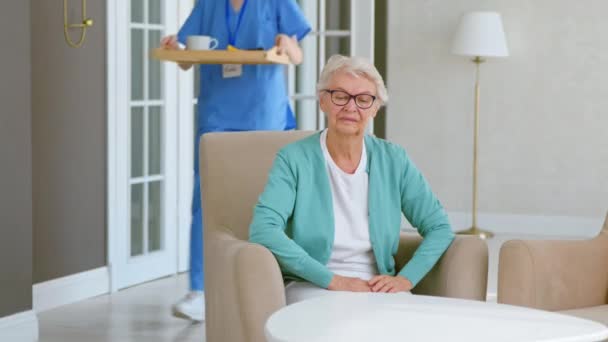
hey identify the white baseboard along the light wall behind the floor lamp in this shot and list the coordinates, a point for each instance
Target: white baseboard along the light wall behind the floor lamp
(550, 226)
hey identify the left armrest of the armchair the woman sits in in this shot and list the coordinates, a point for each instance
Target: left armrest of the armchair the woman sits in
(243, 287)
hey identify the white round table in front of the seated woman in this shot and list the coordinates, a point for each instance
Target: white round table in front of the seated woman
(353, 317)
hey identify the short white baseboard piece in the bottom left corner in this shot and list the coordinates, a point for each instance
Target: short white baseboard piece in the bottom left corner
(19, 327)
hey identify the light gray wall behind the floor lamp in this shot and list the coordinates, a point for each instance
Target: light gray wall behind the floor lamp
(544, 122)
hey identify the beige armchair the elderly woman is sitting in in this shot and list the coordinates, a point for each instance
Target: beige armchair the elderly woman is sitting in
(243, 284)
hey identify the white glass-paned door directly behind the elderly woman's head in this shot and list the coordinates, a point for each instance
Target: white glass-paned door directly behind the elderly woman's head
(343, 27)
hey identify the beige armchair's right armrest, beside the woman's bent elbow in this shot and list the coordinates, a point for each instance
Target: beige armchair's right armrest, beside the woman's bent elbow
(462, 271)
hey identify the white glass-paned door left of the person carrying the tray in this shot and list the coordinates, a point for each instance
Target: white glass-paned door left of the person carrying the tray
(142, 144)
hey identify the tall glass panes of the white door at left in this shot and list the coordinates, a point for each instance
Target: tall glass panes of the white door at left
(147, 179)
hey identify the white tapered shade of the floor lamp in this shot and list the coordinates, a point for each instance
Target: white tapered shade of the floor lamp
(480, 34)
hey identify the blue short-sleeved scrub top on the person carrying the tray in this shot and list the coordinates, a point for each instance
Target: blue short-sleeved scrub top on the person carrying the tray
(257, 100)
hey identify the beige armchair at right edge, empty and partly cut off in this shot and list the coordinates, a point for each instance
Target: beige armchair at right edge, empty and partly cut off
(570, 276)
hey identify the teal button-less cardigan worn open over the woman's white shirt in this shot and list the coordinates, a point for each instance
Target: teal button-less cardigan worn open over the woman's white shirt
(294, 216)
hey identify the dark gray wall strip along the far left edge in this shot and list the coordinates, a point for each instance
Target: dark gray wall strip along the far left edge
(15, 156)
